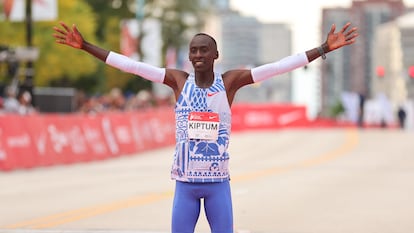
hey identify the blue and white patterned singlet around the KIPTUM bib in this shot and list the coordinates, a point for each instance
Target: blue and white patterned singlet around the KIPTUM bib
(202, 160)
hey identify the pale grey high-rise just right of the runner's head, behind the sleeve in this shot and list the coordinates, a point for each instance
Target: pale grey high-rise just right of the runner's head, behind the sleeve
(244, 42)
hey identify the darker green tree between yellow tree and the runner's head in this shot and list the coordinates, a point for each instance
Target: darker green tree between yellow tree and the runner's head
(179, 19)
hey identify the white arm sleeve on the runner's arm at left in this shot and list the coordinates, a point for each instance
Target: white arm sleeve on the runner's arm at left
(129, 65)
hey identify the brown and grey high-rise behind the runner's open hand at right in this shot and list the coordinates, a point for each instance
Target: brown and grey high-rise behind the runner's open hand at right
(350, 68)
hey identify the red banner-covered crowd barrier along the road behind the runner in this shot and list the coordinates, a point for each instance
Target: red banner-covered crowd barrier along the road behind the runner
(56, 139)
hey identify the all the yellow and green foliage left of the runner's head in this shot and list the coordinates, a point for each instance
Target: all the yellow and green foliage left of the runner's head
(98, 21)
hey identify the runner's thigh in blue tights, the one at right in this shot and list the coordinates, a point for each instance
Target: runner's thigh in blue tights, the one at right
(218, 207)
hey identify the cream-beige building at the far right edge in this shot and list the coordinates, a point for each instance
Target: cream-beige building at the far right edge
(393, 58)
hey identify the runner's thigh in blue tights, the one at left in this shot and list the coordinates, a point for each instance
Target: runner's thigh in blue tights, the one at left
(186, 209)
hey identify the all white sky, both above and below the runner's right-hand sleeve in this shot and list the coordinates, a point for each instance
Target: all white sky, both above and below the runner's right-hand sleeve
(304, 17)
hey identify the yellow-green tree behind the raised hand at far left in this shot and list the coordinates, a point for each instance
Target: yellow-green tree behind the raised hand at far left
(55, 62)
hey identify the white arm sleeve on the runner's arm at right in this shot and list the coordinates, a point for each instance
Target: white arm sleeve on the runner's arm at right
(287, 64)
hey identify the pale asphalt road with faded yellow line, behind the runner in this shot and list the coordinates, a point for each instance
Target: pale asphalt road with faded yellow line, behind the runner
(287, 181)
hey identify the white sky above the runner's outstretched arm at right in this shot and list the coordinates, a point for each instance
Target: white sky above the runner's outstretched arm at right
(303, 15)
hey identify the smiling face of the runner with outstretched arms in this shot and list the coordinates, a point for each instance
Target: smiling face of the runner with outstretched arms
(203, 52)
